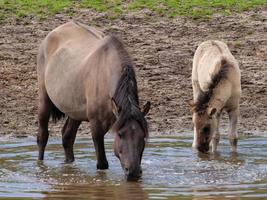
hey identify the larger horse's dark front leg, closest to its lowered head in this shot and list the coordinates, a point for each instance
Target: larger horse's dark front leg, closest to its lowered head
(98, 132)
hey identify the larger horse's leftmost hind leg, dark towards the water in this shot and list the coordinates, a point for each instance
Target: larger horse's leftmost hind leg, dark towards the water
(44, 110)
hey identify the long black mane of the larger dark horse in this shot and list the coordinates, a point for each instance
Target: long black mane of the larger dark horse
(126, 94)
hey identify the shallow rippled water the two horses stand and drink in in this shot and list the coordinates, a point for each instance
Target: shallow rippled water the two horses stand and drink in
(171, 169)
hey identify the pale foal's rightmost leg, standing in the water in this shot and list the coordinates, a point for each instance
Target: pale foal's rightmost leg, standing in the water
(233, 116)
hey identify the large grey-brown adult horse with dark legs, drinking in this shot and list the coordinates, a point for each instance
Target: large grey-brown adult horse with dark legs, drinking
(88, 76)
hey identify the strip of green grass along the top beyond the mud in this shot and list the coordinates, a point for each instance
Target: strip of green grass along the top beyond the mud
(116, 8)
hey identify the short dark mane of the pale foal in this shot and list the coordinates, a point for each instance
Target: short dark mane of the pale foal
(204, 97)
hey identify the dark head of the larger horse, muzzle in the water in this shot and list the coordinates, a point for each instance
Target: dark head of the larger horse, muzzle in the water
(129, 144)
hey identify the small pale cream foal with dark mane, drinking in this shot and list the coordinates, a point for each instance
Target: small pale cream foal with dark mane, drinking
(216, 86)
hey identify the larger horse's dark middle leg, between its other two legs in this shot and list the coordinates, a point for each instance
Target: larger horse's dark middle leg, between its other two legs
(69, 131)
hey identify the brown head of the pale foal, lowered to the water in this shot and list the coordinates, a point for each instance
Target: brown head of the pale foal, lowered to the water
(205, 124)
